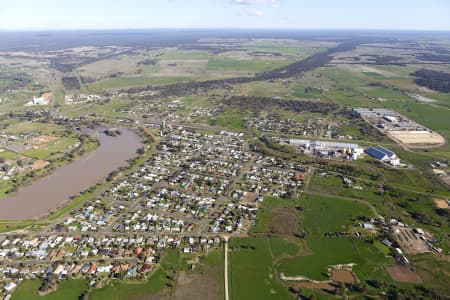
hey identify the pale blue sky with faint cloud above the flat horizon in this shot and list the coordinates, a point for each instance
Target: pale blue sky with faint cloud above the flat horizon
(303, 14)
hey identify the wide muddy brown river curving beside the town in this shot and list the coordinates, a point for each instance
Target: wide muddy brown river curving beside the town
(52, 191)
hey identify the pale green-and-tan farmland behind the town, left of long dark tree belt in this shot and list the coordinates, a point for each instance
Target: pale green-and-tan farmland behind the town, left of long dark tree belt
(173, 65)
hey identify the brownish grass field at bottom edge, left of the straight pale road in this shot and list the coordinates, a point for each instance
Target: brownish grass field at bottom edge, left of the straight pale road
(202, 286)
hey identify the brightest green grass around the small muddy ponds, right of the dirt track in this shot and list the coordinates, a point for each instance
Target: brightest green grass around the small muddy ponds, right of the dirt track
(328, 214)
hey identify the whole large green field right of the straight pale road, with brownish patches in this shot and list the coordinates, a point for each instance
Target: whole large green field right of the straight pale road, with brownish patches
(310, 257)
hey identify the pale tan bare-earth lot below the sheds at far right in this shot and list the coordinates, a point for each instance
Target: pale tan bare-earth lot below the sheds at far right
(418, 138)
